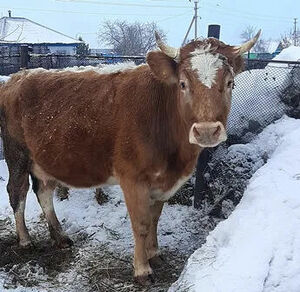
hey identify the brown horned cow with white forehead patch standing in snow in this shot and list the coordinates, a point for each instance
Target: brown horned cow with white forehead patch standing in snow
(142, 128)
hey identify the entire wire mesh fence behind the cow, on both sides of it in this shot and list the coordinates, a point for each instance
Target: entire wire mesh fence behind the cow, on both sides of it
(263, 93)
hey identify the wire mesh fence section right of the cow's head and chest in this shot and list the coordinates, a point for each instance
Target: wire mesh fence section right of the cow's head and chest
(262, 94)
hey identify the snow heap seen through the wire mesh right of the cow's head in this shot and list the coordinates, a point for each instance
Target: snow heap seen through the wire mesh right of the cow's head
(257, 91)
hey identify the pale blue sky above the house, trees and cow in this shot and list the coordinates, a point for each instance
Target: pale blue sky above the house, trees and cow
(84, 17)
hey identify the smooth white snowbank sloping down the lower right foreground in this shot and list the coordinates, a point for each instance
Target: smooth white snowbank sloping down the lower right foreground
(257, 247)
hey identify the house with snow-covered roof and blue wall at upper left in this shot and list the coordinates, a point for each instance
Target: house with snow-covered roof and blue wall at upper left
(16, 31)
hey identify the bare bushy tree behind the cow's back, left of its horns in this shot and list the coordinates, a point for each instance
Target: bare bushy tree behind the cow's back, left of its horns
(130, 38)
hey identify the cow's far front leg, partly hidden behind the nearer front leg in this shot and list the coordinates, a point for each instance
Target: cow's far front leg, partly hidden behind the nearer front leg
(153, 253)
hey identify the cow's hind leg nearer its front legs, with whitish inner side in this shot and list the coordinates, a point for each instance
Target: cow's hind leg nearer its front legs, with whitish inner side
(44, 192)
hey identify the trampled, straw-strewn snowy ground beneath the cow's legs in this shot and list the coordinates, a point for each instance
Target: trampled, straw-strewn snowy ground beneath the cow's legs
(102, 255)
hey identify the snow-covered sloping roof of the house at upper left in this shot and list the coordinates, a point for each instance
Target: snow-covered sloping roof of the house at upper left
(24, 31)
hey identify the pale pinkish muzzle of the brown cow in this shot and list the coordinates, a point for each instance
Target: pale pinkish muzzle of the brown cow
(207, 134)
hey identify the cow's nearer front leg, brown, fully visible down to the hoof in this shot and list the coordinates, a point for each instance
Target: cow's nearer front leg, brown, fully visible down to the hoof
(138, 205)
